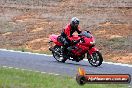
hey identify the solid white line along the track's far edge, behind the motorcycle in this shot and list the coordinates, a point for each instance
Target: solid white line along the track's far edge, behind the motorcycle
(119, 64)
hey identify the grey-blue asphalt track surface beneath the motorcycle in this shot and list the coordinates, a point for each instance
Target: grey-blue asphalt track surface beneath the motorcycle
(48, 64)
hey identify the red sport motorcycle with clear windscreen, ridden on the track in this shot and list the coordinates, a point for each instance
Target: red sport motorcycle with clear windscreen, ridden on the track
(82, 46)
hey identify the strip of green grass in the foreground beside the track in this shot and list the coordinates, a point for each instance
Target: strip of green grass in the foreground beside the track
(12, 78)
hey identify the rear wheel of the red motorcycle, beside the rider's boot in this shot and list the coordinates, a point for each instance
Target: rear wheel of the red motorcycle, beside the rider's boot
(59, 58)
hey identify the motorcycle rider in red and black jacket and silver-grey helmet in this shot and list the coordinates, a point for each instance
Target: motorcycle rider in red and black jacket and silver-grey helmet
(67, 32)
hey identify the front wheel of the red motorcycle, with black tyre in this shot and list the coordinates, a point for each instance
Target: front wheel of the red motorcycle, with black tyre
(96, 59)
